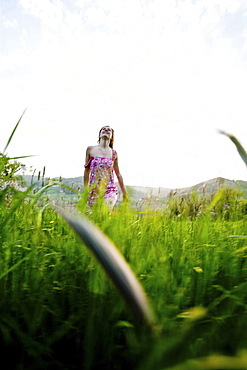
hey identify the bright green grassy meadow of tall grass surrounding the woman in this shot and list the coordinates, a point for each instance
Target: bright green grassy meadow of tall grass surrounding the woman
(60, 309)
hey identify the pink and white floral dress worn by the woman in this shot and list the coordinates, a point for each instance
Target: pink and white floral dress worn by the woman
(101, 178)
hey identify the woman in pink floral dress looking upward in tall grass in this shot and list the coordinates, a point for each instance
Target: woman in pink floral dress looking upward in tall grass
(101, 160)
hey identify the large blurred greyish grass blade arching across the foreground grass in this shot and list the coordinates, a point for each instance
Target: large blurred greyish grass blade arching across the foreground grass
(113, 263)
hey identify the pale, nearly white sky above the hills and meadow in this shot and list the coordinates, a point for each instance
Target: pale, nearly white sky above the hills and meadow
(165, 74)
